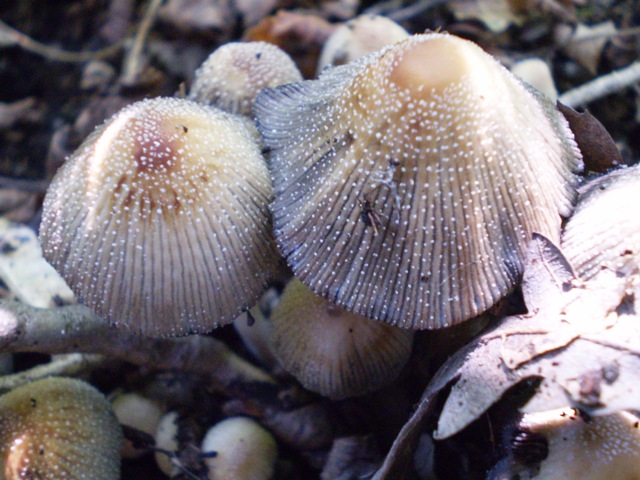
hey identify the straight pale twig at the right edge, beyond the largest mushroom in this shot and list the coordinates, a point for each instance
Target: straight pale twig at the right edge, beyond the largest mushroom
(602, 86)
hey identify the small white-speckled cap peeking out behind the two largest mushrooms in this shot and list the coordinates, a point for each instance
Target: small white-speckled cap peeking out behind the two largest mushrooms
(231, 77)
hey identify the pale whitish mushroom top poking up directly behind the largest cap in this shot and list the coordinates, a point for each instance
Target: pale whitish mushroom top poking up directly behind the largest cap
(358, 37)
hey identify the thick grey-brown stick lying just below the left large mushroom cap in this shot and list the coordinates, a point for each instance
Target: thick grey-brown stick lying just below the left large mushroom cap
(75, 328)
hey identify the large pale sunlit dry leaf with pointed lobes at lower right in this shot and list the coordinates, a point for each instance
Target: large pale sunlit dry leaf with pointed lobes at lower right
(581, 339)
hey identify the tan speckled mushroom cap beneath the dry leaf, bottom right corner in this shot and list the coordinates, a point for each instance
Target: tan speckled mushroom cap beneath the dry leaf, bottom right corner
(602, 448)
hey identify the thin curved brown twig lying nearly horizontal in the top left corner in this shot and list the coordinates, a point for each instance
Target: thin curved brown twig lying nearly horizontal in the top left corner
(10, 36)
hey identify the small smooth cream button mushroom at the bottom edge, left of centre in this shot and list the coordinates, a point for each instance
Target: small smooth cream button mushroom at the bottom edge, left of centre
(239, 448)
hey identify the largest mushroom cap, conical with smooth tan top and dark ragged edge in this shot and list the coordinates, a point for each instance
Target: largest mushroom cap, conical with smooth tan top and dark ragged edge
(408, 183)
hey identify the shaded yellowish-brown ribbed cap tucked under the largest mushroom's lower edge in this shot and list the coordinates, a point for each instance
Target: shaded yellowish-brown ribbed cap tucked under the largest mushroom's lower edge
(335, 353)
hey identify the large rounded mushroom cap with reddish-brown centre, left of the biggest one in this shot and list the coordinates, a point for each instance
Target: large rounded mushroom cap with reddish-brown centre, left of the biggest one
(159, 222)
